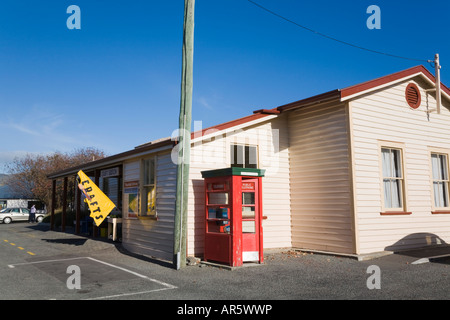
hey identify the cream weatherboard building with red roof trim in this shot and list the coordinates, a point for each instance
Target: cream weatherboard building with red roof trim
(356, 170)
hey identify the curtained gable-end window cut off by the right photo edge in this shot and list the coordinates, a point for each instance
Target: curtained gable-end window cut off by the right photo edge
(439, 168)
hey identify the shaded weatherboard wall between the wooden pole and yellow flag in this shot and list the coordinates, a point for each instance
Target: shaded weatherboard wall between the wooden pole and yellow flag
(146, 236)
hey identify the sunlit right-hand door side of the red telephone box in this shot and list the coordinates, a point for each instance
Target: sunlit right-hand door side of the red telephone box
(251, 220)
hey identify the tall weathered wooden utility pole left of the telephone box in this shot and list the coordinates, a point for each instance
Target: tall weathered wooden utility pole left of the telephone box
(184, 138)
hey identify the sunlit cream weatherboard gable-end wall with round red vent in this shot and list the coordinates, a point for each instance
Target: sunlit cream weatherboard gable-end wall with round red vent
(383, 118)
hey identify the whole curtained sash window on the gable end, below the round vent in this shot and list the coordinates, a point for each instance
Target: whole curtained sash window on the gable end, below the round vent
(393, 182)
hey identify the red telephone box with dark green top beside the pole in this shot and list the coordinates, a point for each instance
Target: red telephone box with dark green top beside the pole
(233, 228)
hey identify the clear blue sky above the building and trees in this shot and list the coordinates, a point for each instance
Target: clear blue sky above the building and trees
(115, 83)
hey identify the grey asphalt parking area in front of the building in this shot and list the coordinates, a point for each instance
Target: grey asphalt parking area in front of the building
(108, 272)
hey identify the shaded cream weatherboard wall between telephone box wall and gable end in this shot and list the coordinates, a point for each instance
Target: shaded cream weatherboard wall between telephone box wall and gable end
(320, 178)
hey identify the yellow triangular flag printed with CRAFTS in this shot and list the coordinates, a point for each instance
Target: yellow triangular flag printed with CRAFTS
(99, 204)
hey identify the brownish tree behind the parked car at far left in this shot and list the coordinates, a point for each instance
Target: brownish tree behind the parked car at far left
(28, 174)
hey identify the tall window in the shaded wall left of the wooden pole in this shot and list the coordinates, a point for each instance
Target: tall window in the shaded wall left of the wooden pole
(148, 191)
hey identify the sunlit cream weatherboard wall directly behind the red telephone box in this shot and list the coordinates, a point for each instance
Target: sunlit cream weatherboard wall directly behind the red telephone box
(273, 155)
